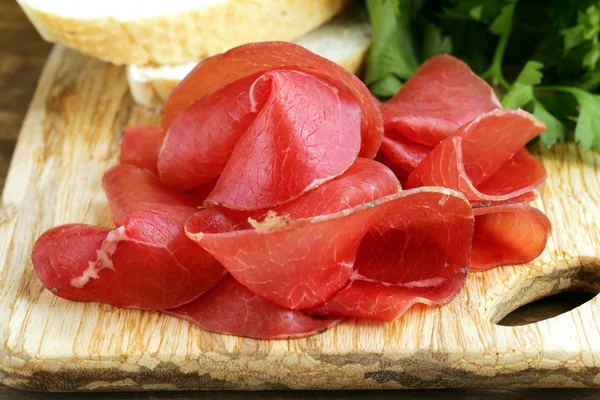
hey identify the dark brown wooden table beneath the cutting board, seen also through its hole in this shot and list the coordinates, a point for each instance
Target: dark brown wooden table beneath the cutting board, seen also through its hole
(22, 56)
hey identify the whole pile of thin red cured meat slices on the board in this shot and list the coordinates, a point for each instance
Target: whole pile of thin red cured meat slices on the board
(258, 209)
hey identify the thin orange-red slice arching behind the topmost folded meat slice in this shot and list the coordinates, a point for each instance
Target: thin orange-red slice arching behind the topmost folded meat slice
(214, 73)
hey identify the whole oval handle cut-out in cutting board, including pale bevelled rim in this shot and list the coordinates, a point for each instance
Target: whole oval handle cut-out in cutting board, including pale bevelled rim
(537, 298)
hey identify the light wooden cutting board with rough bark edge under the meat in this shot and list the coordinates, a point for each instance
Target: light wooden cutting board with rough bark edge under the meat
(70, 138)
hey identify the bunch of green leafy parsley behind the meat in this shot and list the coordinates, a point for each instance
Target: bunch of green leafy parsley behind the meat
(542, 56)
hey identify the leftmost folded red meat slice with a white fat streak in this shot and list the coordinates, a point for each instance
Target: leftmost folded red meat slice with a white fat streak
(147, 262)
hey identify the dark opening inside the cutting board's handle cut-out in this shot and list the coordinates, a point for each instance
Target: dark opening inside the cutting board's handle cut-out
(547, 307)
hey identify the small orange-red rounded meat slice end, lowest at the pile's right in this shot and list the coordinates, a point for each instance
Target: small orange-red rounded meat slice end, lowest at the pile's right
(507, 234)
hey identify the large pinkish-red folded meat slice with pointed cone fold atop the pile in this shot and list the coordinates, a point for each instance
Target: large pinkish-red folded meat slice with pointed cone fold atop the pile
(270, 140)
